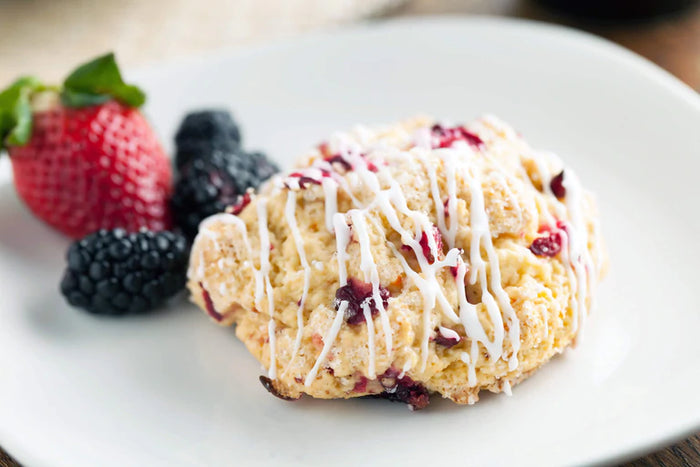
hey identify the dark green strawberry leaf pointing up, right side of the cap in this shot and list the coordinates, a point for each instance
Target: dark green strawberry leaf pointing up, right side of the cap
(98, 81)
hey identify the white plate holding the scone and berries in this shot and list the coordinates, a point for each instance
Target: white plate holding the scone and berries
(173, 389)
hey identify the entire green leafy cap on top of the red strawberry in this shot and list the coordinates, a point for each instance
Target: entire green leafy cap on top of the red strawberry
(92, 83)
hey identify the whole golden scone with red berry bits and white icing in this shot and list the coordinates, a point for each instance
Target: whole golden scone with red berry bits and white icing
(405, 260)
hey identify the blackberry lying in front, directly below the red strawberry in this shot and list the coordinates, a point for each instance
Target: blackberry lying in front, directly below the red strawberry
(112, 272)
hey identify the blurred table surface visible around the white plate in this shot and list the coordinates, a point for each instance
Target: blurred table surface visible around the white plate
(31, 26)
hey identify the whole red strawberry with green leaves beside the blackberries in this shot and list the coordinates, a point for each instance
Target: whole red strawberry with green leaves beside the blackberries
(83, 156)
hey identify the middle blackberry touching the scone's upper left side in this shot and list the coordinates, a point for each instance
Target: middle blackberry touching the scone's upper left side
(209, 185)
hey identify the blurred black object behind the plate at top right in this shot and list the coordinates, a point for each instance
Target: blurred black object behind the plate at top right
(618, 9)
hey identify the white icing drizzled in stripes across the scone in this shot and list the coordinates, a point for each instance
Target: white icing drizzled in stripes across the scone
(388, 200)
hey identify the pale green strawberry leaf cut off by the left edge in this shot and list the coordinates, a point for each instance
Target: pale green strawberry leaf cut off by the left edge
(16, 111)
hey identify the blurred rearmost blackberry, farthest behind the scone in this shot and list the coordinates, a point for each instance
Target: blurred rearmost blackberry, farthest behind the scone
(203, 132)
